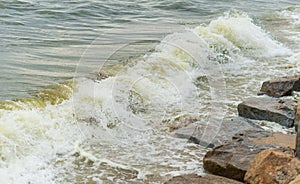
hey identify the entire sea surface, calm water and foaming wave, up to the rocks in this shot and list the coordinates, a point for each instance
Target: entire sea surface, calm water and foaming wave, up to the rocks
(90, 90)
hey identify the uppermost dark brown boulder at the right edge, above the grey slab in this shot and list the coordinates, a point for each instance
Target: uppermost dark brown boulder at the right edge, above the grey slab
(281, 86)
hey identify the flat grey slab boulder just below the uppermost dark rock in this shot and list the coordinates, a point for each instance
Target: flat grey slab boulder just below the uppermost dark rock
(281, 111)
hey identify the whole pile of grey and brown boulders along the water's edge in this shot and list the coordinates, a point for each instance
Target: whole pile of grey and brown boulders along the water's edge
(244, 152)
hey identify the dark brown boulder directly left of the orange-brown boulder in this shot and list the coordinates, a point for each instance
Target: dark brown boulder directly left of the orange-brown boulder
(233, 158)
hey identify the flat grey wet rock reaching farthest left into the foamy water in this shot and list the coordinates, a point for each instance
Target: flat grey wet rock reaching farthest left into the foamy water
(195, 132)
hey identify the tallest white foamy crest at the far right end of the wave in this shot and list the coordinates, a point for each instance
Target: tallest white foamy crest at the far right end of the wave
(236, 31)
